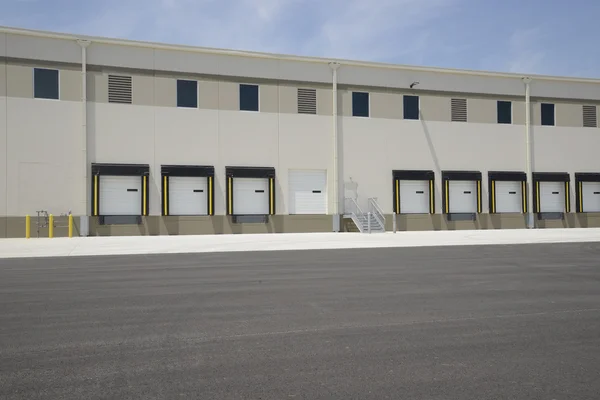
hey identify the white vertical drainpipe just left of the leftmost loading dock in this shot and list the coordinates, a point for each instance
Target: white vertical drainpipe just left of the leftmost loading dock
(84, 226)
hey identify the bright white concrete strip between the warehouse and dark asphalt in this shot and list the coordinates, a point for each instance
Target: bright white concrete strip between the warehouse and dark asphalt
(122, 245)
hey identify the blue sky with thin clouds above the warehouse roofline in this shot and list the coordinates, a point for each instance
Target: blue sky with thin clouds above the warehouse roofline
(556, 37)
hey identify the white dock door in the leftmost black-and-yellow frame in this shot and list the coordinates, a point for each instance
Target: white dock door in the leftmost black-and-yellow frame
(120, 195)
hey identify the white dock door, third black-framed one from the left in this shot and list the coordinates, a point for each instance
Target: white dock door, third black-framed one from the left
(251, 196)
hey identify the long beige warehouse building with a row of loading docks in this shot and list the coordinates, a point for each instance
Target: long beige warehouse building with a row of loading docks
(137, 138)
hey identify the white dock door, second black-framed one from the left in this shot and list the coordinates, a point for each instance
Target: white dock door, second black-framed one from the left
(188, 195)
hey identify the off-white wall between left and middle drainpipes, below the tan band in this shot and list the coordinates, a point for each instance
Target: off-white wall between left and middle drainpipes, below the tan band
(160, 136)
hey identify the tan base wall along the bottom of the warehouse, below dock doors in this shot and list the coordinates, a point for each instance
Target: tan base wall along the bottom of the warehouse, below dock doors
(14, 227)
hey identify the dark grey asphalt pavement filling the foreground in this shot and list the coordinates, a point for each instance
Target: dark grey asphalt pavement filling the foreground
(473, 322)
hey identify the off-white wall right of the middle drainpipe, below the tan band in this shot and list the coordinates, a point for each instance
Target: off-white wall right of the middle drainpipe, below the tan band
(437, 146)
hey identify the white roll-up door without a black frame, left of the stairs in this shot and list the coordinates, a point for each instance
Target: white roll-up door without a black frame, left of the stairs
(308, 192)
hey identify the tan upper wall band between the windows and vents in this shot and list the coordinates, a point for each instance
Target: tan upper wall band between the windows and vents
(161, 90)
